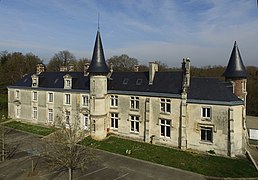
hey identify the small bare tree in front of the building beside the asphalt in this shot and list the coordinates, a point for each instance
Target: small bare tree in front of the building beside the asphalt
(61, 149)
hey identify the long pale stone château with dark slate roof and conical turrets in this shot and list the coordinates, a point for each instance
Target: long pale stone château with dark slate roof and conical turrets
(164, 108)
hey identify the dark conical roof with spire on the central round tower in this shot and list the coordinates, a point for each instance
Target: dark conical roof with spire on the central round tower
(98, 63)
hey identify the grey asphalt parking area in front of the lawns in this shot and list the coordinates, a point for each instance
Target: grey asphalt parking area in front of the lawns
(108, 166)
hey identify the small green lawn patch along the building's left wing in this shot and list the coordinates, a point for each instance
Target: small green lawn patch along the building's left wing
(35, 129)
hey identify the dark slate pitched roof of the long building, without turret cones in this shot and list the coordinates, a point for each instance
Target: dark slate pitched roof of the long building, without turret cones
(168, 83)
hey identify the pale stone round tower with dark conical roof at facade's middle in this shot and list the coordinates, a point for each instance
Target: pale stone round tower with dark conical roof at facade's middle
(98, 71)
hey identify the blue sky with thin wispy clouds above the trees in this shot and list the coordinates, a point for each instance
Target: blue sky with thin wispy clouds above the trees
(163, 30)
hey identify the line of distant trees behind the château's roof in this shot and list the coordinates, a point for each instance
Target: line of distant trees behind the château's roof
(14, 65)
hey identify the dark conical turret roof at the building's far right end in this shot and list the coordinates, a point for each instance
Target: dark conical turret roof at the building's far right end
(235, 68)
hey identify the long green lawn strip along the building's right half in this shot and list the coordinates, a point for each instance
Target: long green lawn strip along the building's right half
(200, 163)
